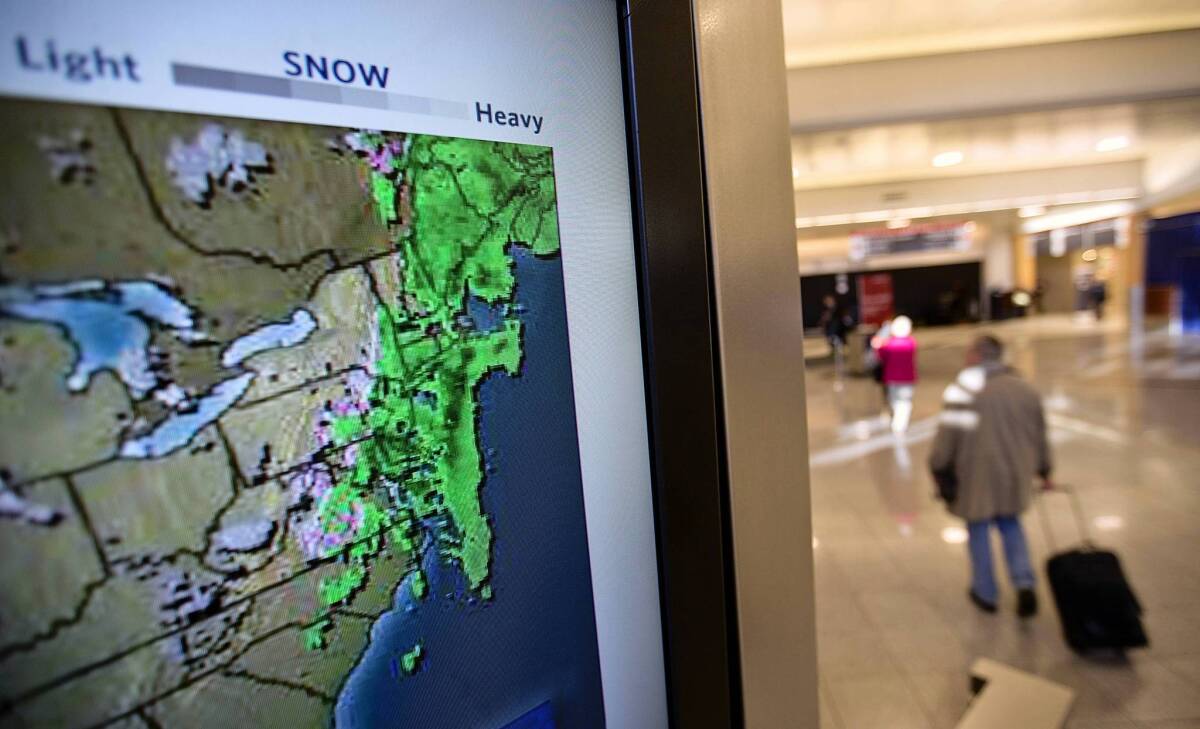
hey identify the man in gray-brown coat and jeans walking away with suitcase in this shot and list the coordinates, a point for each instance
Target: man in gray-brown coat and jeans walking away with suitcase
(992, 442)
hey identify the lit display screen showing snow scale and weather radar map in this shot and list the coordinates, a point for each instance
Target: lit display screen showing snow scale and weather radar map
(321, 394)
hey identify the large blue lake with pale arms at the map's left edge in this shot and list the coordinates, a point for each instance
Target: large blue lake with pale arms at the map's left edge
(106, 323)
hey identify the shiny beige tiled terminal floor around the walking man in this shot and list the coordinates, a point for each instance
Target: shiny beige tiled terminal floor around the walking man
(896, 631)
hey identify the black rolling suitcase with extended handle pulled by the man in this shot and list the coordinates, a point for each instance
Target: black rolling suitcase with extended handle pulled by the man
(1097, 607)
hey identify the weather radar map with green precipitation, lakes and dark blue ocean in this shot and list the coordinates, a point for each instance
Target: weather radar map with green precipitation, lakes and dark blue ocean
(287, 431)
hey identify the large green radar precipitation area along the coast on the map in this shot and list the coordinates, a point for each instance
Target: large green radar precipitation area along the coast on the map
(455, 207)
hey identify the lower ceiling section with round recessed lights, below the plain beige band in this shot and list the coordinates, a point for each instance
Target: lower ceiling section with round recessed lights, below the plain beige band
(1145, 150)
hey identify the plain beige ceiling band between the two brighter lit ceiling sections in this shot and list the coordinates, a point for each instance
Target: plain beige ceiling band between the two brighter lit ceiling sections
(999, 81)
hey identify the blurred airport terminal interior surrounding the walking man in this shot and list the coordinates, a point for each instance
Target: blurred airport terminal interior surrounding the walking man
(1029, 170)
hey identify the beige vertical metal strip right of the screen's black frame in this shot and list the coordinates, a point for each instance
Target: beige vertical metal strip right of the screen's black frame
(745, 123)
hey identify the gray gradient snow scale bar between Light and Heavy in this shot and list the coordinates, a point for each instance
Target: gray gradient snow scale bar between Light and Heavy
(284, 88)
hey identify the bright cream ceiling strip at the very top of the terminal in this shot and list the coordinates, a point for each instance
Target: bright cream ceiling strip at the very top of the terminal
(821, 33)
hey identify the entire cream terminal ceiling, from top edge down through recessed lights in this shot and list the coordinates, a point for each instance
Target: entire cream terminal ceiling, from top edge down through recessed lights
(1027, 95)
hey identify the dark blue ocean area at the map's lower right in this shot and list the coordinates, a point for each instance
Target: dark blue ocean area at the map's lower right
(536, 642)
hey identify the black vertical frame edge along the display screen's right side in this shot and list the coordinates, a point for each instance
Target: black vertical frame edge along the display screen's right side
(682, 366)
